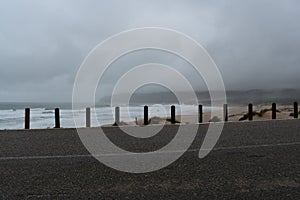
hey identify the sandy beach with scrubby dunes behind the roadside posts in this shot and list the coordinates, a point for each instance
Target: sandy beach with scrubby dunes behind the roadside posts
(237, 112)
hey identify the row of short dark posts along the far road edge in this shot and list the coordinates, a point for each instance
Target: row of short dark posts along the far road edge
(146, 119)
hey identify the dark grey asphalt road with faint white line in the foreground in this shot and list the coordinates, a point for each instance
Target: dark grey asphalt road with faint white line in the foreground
(252, 160)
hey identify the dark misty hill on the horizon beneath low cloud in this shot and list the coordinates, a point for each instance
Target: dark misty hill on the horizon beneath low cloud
(283, 96)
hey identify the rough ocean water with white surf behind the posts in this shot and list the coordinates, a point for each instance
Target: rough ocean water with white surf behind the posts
(12, 115)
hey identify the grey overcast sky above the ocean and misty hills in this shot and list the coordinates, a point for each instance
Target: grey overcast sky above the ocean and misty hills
(255, 43)
